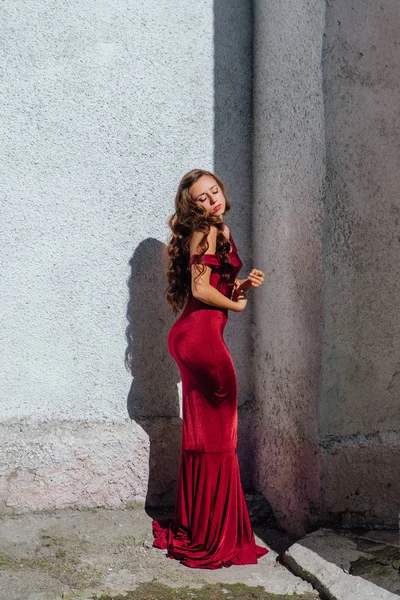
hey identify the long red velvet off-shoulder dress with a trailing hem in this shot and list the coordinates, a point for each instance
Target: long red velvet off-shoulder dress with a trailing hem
(211, 526)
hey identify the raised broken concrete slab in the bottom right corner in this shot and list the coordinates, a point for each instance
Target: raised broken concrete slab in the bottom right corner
(324, 558)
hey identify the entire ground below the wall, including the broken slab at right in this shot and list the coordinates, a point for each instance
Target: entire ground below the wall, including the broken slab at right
(98, 553)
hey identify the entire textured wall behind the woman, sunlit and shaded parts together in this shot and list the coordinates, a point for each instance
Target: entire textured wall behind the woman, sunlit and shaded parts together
(105, 105)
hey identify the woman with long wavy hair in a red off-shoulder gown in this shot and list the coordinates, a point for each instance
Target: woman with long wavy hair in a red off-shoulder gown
(211, 527)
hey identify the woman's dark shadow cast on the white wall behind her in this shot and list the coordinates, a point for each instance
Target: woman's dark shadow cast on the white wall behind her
(153, 400)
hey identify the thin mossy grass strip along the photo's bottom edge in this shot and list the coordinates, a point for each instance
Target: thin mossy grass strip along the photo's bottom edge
(217, 591)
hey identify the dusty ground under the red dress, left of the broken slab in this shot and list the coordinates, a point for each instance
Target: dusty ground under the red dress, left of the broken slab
(100, 553)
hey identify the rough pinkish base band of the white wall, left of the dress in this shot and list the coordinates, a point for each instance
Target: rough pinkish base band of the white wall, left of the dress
(60, 464)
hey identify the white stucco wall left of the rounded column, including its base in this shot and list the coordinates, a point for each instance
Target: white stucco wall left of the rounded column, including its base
(105, 105)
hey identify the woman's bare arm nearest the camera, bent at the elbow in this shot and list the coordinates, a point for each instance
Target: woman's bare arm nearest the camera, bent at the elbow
(201, 287)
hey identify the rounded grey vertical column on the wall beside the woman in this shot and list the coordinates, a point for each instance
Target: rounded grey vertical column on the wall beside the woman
(288, 178)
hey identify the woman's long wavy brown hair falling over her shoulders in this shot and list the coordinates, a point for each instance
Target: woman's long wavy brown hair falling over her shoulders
(187, 218)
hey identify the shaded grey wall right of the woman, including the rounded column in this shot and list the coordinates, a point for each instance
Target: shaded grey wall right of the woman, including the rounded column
(326, 232)
